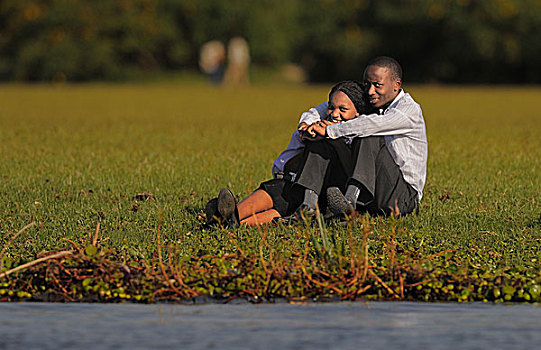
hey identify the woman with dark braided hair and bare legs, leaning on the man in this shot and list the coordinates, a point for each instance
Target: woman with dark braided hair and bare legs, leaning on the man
(278, 197)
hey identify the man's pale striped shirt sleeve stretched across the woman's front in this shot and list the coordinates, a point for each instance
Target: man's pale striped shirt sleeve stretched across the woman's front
(393, 122)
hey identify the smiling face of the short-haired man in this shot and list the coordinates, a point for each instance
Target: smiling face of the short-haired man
(382, 89)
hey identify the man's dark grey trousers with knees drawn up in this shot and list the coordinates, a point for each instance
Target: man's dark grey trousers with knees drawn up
(365, 163)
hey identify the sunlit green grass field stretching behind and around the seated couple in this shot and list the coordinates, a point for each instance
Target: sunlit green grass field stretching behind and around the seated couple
(73, 156)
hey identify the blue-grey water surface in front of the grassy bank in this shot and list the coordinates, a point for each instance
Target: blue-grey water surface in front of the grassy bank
(358, 325)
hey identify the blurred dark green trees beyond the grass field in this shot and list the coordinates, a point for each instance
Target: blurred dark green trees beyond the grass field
(444, 41)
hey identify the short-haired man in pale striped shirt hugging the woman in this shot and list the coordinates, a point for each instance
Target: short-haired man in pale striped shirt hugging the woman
(388, 153)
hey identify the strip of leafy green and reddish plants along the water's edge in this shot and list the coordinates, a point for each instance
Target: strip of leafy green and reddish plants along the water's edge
(320, 270)
